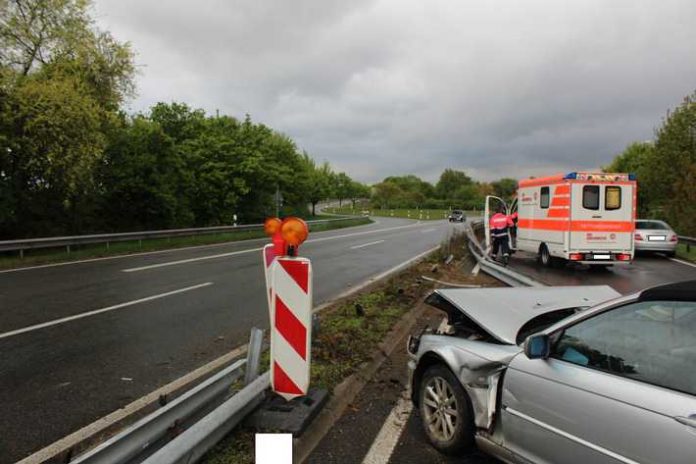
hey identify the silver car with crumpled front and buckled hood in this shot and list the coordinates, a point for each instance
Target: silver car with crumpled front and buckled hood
(561, 374)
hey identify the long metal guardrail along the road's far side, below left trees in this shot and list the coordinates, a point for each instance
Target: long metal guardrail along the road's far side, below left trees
(55, 242)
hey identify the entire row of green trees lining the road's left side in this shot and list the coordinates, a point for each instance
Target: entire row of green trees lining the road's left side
(71, 161)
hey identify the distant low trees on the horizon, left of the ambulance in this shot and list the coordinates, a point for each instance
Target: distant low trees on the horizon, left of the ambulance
(454, 189)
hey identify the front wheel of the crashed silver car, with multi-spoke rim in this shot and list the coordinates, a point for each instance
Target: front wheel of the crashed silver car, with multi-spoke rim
(445, 410)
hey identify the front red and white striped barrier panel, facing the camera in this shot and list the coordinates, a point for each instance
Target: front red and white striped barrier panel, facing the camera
(291, 325)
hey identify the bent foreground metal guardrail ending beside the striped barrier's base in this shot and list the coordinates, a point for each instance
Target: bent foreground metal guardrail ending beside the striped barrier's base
(157, 438)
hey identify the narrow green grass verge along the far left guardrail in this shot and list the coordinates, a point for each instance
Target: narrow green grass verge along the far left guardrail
(10, 260)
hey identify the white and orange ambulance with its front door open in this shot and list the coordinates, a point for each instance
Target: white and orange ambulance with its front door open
(585, 217)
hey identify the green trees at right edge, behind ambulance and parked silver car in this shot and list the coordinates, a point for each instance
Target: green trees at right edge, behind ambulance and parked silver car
(666, 169)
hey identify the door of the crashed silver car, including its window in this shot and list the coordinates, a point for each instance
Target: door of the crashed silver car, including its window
(619, 386)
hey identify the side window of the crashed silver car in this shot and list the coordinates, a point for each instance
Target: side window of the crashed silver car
(653, 342)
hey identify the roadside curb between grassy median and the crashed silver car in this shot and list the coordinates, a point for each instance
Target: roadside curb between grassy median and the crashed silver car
(346, 392)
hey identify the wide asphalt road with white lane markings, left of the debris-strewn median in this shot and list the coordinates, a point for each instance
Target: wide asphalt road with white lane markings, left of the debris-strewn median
(202, 302)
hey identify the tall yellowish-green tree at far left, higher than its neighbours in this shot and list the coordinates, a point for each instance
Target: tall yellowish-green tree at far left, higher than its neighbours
(61, 82)
